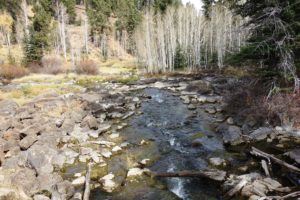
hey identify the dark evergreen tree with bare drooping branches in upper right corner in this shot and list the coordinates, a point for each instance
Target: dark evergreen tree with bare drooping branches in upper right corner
(274, 33)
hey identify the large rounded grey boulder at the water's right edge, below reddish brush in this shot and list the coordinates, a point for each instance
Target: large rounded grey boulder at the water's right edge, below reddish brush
(232, 136)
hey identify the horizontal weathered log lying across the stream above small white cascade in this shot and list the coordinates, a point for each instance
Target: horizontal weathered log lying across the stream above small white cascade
(216, 175)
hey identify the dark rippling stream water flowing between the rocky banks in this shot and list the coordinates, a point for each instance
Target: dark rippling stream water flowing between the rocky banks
(169, 130)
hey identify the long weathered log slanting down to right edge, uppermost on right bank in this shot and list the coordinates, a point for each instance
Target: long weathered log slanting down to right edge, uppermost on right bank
(270, 157)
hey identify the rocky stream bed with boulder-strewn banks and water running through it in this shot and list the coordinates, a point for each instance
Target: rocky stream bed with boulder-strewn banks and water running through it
(126, 132)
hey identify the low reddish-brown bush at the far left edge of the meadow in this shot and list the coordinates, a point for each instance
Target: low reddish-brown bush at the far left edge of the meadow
(12, 71)
